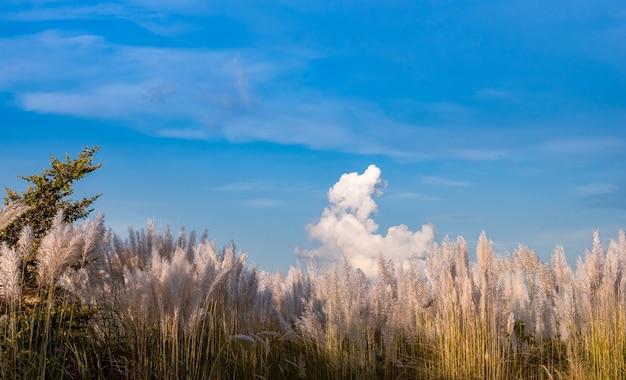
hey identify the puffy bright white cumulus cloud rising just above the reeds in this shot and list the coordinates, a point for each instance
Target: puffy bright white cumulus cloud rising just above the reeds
(346, 228)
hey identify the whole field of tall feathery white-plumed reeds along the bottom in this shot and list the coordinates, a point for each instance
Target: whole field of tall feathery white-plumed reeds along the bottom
(84, 303)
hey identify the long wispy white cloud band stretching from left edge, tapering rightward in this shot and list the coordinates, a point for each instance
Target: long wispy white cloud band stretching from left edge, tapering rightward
(239, 95)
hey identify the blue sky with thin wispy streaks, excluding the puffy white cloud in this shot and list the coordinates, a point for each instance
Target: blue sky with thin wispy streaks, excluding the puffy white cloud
(238, 116)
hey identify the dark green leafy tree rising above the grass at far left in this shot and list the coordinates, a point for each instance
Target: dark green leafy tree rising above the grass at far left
(49, 194)
